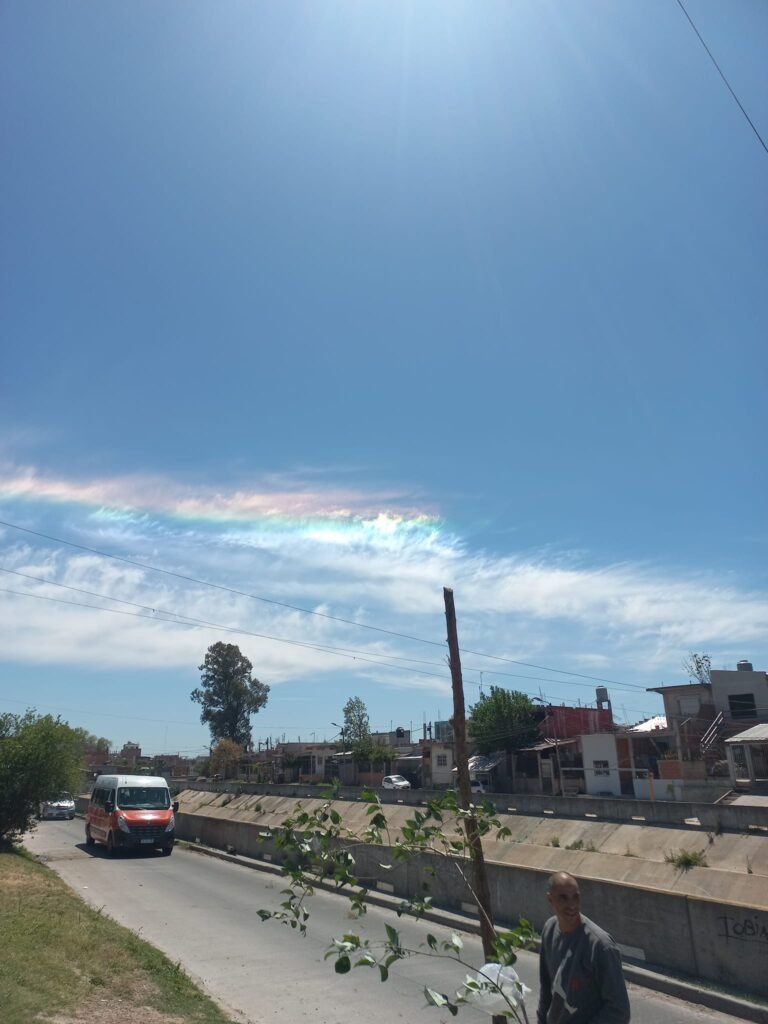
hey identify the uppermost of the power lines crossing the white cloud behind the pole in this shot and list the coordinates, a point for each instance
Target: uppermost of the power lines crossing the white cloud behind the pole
(307, 612)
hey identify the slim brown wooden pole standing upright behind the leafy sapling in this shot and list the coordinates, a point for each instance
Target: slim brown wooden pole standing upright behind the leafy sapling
(481, 880)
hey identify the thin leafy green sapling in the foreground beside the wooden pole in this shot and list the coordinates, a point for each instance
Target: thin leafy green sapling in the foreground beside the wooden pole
(319, 847)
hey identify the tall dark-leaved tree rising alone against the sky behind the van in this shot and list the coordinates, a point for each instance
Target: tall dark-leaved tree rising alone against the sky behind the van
(229, 695)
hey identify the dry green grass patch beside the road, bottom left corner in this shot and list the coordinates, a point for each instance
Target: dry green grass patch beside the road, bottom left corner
(60, 956)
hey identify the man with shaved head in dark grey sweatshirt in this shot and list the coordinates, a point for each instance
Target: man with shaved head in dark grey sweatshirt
(580, 967)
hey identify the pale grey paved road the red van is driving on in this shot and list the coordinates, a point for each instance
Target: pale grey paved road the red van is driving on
(203, 913)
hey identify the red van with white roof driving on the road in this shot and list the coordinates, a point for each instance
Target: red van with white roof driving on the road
(132, 813)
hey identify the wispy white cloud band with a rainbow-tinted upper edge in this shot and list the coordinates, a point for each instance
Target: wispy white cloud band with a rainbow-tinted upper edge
(387, 568)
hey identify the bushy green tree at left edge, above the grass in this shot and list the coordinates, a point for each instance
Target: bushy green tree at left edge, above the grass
(39, 757)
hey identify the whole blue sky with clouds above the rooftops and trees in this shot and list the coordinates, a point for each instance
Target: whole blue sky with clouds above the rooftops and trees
(337, 304)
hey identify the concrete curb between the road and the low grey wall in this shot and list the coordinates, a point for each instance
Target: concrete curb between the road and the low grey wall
(690, 992)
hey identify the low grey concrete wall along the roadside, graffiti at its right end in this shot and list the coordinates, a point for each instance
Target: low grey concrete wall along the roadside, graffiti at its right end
(706, 938)
